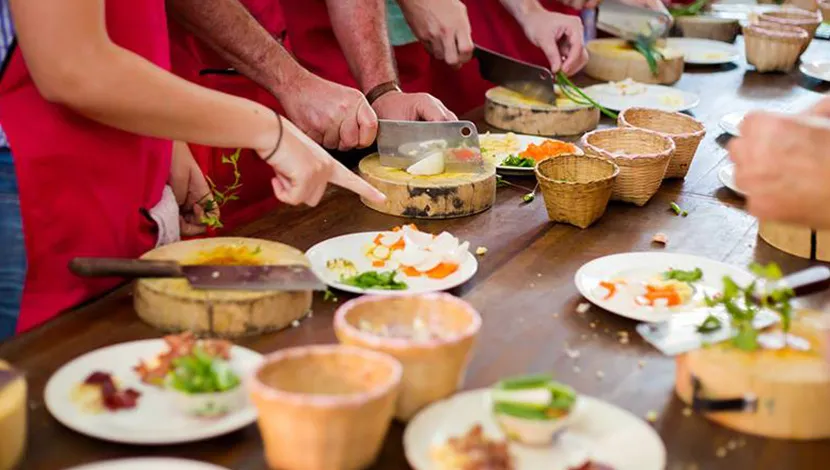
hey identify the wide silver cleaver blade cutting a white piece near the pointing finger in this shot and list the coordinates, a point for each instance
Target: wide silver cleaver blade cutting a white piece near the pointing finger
(401, 144)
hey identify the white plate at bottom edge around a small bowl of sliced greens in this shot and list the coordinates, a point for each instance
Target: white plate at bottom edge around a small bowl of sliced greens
(600, 431)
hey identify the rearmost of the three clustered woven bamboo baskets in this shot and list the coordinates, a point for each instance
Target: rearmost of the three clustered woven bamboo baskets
(685, 131)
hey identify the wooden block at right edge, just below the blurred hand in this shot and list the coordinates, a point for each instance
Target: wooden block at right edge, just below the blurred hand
(796, 240)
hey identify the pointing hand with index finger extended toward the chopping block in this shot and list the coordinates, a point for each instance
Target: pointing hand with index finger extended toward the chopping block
(303, 170)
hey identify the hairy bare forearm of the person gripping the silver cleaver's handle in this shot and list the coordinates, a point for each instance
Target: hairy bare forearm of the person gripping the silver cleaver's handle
(229, 29)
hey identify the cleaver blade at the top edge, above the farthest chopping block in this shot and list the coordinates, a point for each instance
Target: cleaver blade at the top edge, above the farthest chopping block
(630, 22)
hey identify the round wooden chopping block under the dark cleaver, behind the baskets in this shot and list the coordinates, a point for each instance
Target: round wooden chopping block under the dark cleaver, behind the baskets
(504, 111)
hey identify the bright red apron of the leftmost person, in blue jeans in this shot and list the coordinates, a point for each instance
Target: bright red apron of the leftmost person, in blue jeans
(82, 184)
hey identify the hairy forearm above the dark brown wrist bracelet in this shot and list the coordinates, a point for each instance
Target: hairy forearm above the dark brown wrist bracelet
(360, 27)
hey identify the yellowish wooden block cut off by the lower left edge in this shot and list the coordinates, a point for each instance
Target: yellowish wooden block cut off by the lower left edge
(13, 408)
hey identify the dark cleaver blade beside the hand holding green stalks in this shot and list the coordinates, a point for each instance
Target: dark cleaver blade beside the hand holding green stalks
(526, 79)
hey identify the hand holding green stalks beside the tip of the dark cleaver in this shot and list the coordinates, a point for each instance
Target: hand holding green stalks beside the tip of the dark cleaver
(561, 37)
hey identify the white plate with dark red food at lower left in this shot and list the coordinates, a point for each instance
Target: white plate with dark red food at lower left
(136, 412)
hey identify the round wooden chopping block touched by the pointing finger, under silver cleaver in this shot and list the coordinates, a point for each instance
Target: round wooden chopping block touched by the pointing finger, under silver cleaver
(440, 196)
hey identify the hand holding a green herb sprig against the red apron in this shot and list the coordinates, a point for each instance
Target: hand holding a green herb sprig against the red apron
(192, 192)
